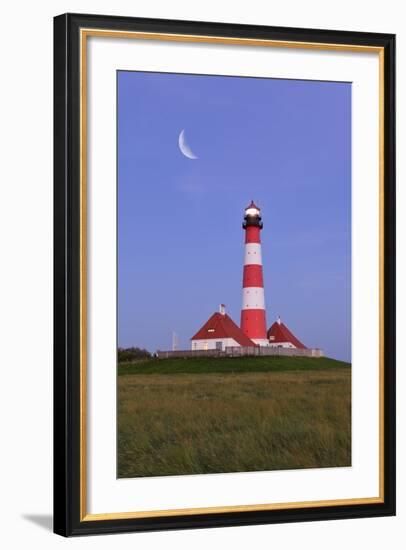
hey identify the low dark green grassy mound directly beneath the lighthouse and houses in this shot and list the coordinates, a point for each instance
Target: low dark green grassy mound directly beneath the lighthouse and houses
(201, 365)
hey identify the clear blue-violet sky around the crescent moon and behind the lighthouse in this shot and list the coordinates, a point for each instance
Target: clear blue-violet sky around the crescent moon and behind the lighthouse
(284, 143)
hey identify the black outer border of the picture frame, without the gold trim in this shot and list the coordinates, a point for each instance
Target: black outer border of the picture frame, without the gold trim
(67, 520)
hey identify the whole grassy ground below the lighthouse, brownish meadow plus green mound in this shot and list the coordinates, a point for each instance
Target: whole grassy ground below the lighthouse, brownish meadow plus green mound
(255, 414)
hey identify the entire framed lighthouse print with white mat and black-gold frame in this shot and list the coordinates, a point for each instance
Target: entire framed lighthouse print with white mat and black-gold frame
(224, 274)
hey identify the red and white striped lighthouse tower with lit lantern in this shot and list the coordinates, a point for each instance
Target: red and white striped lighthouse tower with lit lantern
(253, 320)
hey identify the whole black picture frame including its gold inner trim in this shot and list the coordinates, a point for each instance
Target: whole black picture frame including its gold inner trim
(73, 109)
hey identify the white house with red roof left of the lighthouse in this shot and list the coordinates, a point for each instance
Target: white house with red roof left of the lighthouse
(220, 332)
